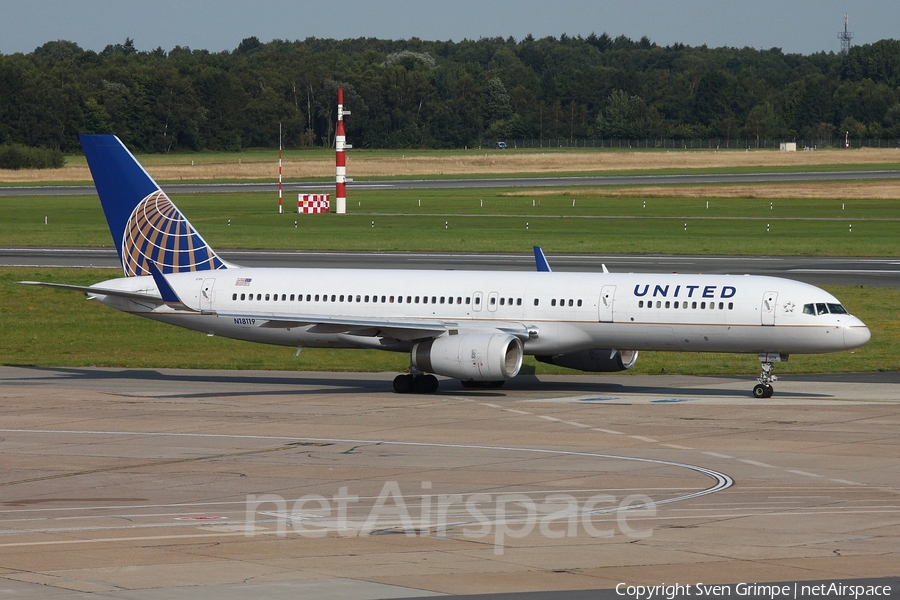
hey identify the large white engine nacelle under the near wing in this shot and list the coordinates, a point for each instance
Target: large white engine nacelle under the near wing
(473, 357)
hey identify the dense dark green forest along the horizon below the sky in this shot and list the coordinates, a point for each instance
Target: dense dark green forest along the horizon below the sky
(432, 94)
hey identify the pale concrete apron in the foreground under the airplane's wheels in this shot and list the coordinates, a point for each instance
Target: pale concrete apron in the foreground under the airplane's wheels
(145, 484)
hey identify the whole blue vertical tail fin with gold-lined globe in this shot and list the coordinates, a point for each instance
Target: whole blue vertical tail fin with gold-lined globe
(144, 223)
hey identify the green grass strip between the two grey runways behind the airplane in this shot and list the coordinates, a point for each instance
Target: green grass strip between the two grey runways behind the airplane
(507, 221)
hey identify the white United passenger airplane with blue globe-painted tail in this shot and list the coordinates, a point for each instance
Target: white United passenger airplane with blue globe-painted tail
(475, 326)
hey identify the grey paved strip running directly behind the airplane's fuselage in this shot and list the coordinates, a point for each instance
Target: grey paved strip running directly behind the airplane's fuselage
(817, 270)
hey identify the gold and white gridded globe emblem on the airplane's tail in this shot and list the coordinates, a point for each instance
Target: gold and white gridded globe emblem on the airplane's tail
(157, 231)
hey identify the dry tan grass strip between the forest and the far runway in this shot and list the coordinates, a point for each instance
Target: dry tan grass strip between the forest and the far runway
(319, 163)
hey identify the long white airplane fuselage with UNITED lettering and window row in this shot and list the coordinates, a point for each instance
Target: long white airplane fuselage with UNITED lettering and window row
(561, 312)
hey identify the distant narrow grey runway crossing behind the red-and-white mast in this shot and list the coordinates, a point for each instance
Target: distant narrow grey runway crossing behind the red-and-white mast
(475, 183)
